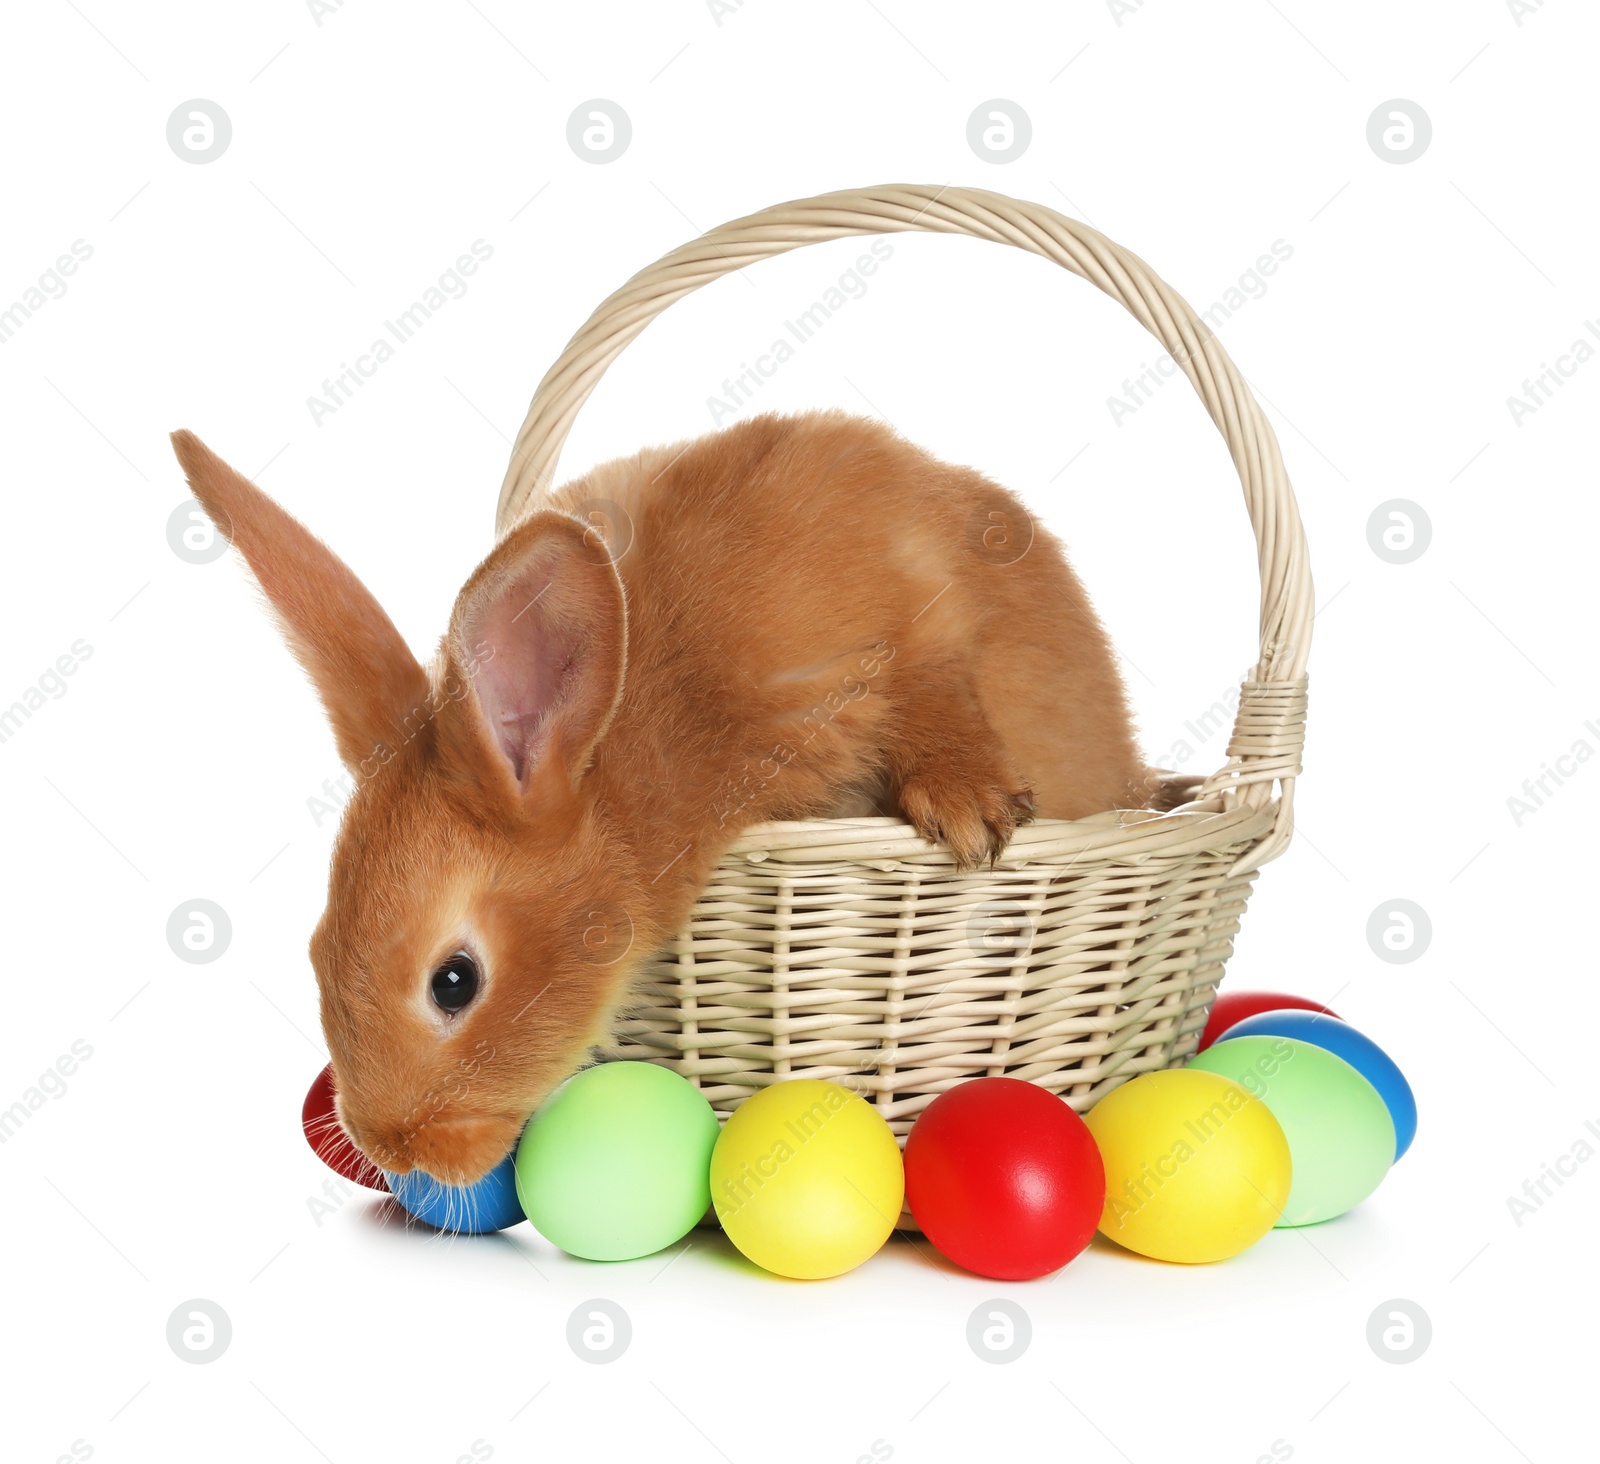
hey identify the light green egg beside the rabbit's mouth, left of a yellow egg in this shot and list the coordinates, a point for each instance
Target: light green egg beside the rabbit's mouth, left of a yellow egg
(617, 1162)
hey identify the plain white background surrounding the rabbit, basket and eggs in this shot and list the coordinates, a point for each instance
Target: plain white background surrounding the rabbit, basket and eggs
(367, 154)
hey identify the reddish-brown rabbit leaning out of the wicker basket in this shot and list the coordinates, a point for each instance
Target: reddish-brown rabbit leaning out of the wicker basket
(806, 618)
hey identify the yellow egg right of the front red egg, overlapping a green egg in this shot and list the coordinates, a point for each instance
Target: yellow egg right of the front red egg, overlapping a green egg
(1196, 1169)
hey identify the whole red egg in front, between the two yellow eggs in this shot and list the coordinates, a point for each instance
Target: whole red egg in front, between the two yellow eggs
(1004, 1178)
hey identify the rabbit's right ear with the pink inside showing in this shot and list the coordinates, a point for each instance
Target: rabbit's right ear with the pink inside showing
(542, 630)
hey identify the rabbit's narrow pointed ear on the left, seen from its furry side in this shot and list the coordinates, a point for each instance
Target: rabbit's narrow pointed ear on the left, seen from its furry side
(370, 682)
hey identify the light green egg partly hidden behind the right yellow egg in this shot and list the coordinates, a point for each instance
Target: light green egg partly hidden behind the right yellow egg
(1342, 1135)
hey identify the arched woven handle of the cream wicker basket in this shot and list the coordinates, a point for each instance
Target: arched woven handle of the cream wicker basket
(1271, 724)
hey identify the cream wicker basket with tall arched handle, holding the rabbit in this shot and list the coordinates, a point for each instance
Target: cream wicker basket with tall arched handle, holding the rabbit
(852, 950)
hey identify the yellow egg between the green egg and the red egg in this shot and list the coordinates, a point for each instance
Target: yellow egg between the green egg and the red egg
(807, 1180)
